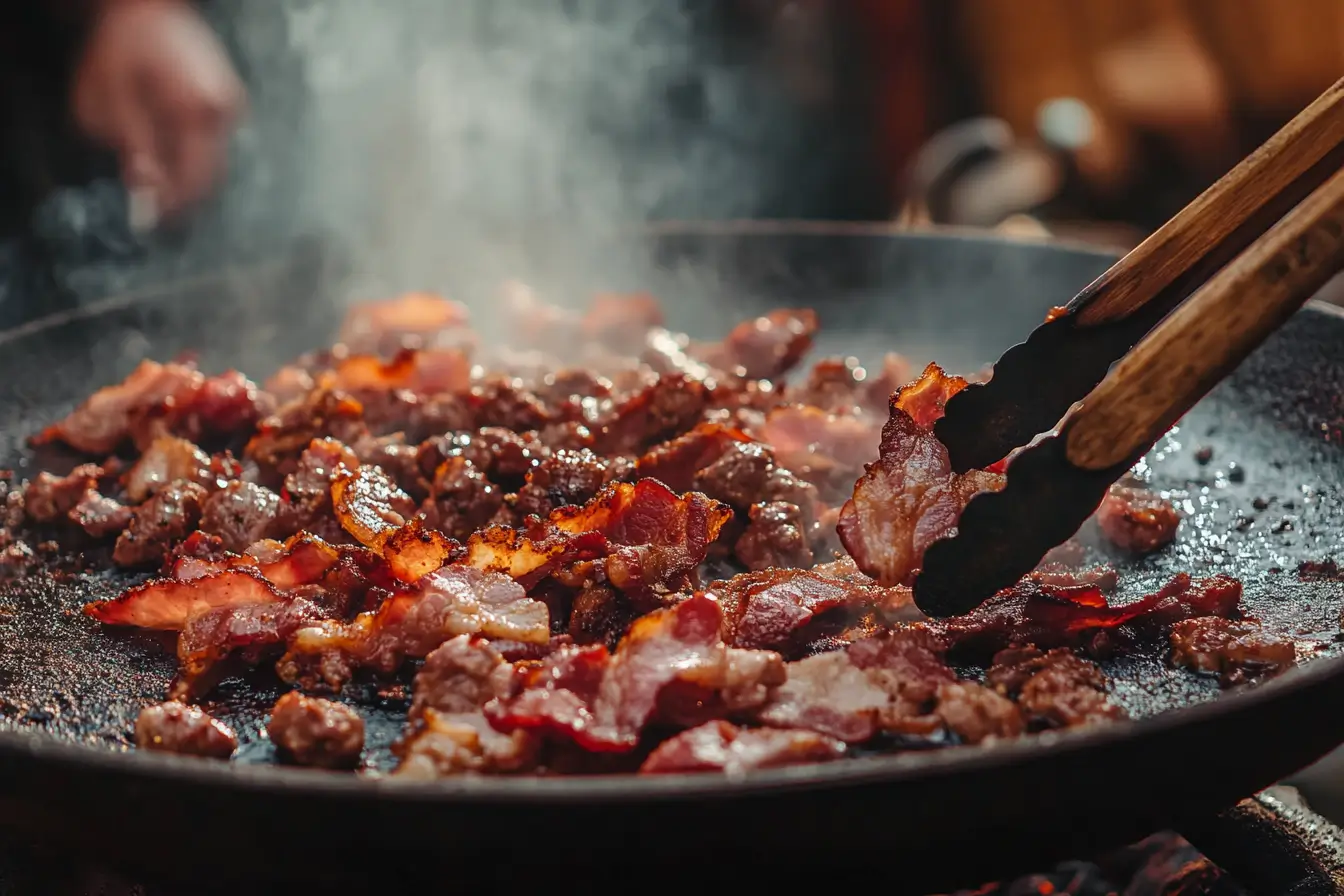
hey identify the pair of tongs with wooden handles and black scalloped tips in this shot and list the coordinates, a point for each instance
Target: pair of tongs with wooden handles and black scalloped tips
(1134, 353)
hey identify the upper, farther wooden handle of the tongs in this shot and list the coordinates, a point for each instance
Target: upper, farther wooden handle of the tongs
(1225, 218)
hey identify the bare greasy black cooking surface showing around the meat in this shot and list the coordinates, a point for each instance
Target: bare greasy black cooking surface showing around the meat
(1268, 500)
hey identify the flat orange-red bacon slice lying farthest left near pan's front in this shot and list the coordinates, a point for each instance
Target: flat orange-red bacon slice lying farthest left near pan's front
(170, 604)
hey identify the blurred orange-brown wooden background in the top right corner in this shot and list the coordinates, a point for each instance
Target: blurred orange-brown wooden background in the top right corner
(1226, 66)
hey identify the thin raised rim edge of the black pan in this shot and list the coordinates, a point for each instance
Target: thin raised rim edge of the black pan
(134, 765)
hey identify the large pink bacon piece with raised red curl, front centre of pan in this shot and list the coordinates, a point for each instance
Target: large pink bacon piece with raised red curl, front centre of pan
(671, 659)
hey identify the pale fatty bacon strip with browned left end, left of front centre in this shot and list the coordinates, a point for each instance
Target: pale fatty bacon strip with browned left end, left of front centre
(458, 600)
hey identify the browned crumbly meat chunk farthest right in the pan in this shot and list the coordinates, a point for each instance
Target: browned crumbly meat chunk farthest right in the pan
(1234, 651)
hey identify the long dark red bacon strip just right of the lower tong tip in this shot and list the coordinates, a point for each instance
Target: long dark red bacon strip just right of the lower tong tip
(1061, 616)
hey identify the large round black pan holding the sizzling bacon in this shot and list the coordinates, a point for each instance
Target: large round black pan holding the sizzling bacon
(913, 823)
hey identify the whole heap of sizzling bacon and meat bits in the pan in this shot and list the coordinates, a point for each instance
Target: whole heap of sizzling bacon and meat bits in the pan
(610, 549)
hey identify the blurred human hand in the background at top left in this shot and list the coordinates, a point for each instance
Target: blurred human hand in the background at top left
(155, 85)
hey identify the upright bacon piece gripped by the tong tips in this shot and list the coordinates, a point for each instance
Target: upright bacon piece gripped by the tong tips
(909, 498)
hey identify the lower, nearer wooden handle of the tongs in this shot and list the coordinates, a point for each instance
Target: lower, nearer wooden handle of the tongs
(1185, 357)
